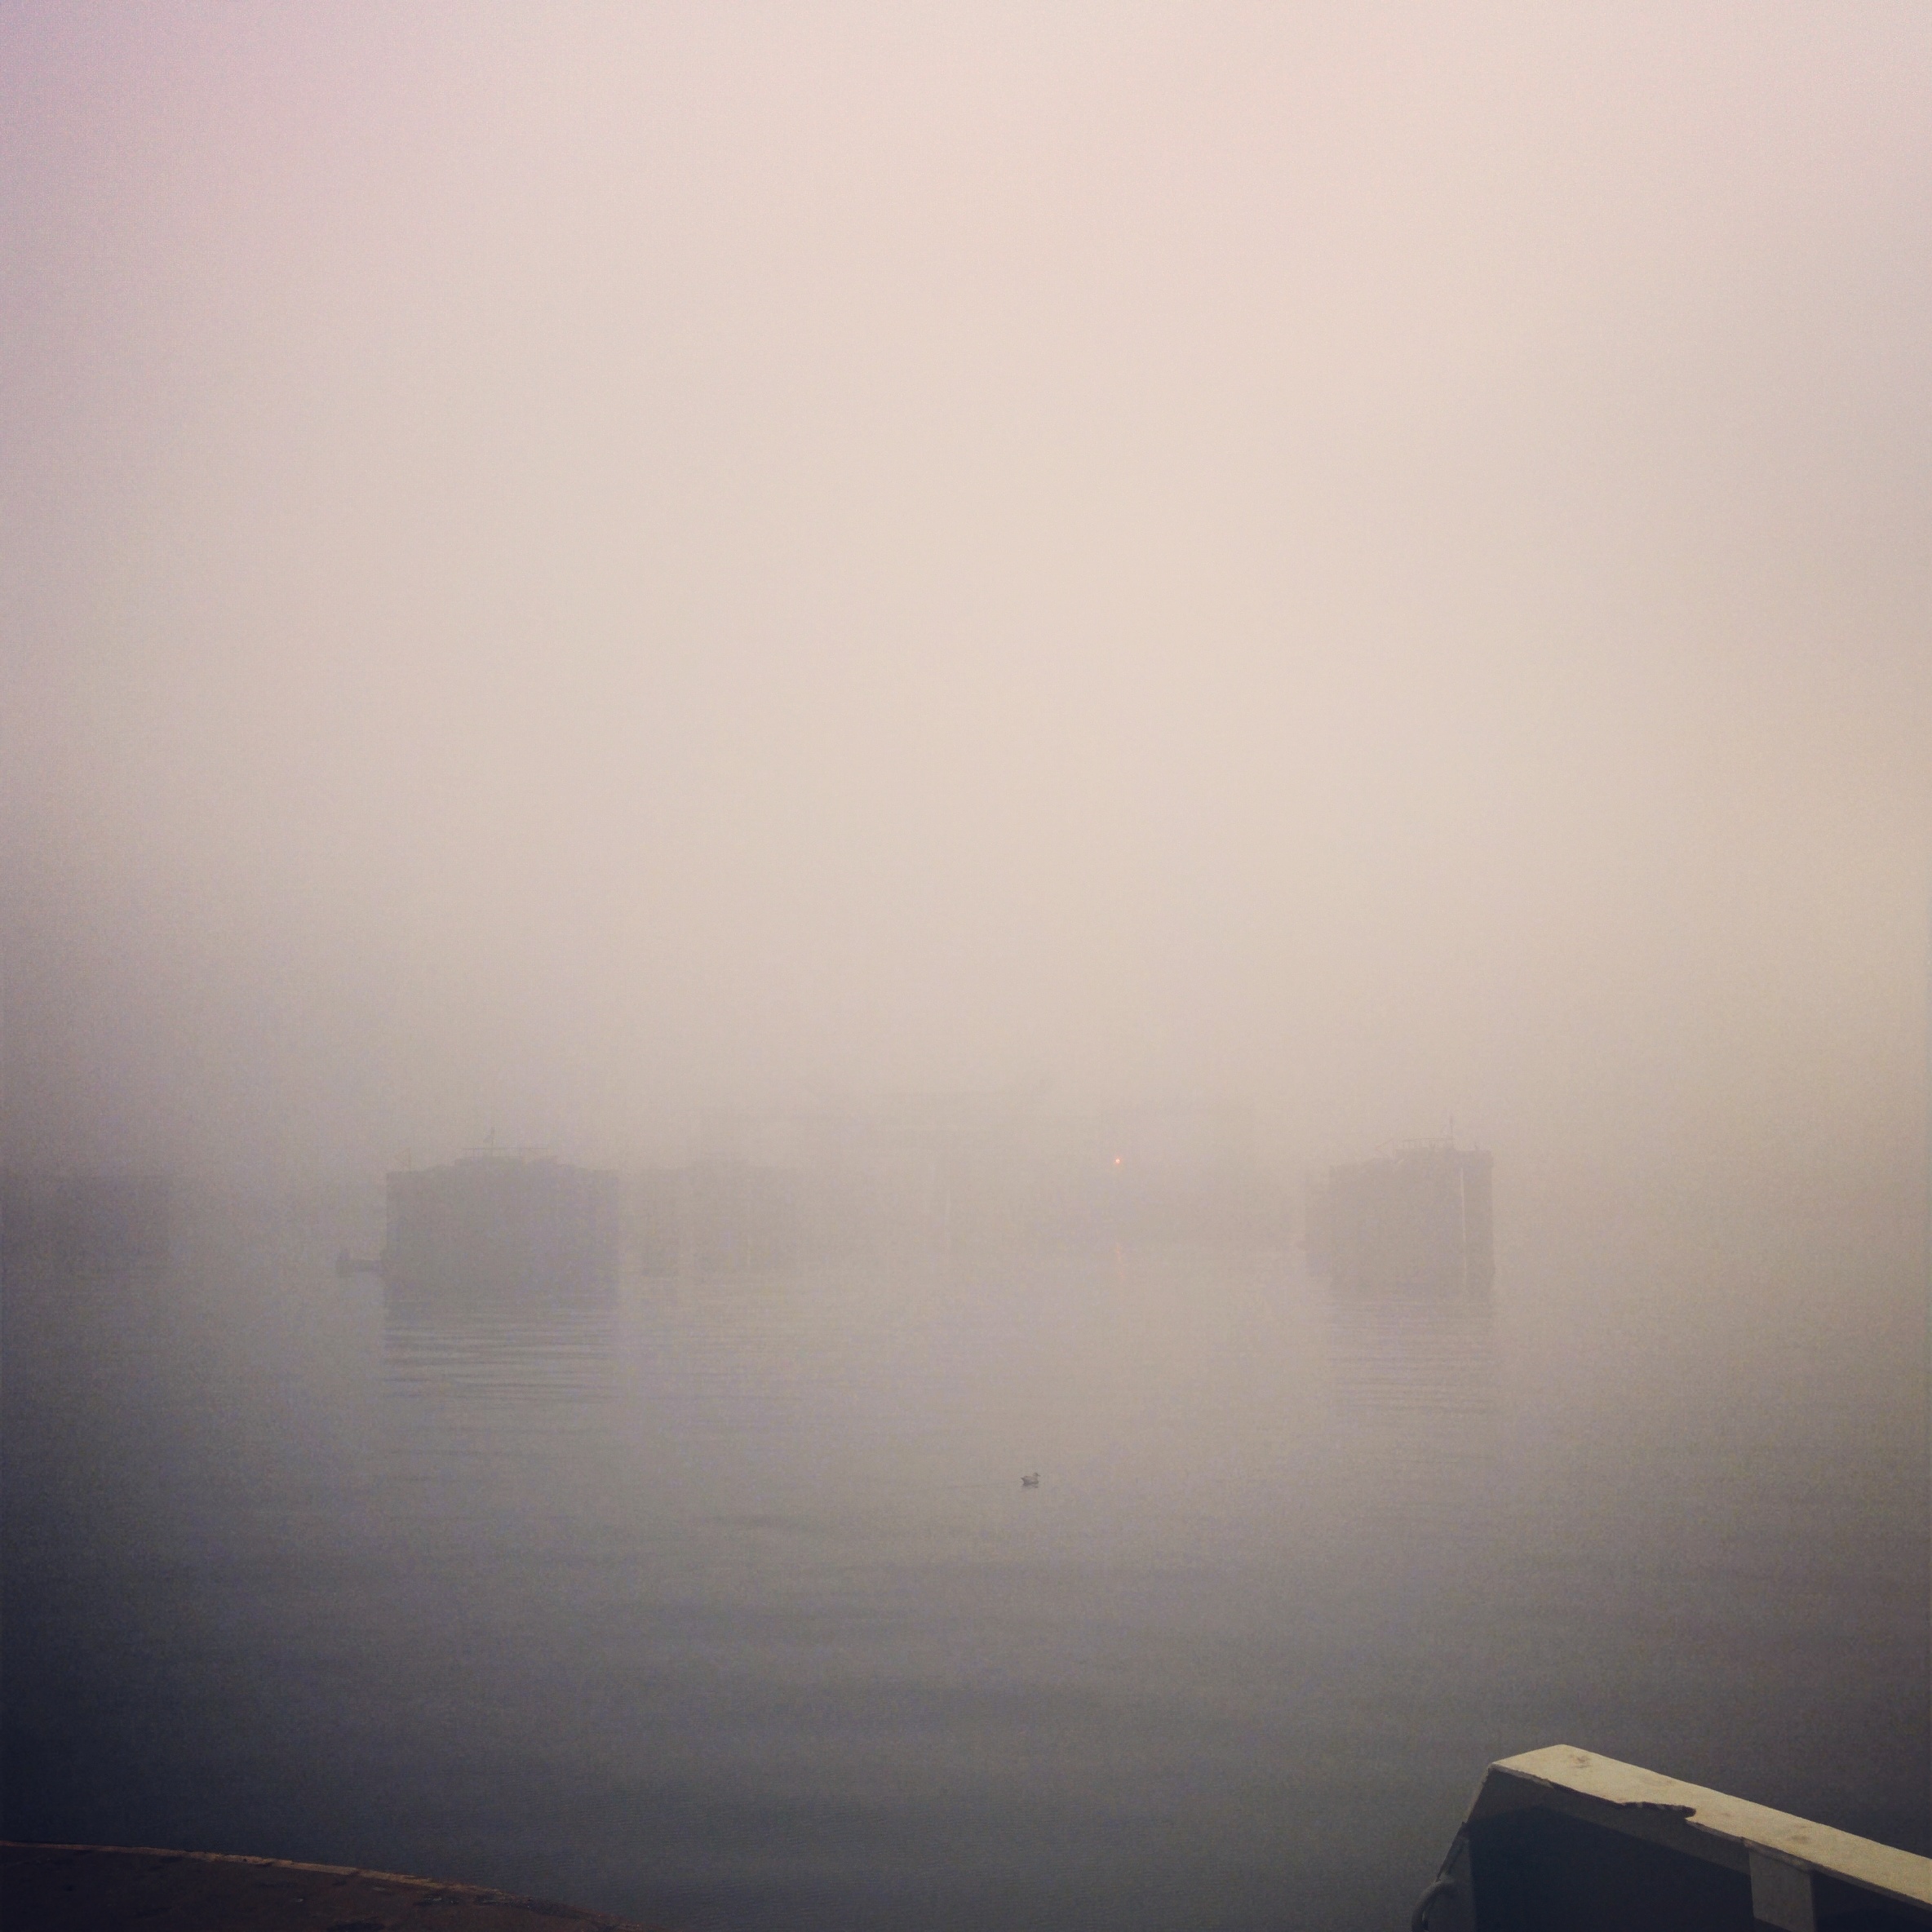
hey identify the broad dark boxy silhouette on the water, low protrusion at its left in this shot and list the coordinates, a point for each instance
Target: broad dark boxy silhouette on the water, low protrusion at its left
(503, 1224)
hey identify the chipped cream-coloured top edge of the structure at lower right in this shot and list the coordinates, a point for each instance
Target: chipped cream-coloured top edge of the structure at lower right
(1670, 1811)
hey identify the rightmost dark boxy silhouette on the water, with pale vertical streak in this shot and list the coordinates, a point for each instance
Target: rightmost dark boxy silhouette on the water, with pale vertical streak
(1417, 1218)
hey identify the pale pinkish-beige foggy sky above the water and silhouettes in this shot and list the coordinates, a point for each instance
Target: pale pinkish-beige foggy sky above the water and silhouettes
(567, 565)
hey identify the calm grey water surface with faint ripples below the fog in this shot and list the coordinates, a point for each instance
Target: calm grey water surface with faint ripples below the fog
(725, 1606)
